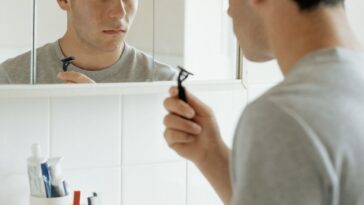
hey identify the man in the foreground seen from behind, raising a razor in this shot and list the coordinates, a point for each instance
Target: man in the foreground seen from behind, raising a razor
(302, 142)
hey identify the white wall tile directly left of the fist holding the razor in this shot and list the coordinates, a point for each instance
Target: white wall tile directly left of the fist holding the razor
(143, 130)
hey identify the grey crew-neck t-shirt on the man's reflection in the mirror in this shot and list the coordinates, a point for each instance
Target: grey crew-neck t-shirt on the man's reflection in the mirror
(133, 66)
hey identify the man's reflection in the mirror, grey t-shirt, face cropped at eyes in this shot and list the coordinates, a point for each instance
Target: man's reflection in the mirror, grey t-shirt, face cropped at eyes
(95, 36)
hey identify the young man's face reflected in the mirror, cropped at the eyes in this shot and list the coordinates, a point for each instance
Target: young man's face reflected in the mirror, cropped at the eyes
(101, 24)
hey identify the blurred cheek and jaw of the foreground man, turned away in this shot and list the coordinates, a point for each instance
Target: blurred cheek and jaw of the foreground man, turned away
(249, 30)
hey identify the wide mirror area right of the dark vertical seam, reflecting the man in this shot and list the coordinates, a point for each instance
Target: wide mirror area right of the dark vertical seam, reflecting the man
(159, 36)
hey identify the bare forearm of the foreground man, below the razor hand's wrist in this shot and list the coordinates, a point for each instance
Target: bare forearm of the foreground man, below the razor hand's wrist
(216, 171)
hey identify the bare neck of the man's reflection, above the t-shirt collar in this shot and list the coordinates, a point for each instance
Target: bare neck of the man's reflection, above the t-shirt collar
(88, 57)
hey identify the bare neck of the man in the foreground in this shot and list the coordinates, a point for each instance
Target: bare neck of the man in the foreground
(319, 29)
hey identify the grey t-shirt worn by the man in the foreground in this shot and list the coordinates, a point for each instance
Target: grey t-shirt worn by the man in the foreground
(302, 143)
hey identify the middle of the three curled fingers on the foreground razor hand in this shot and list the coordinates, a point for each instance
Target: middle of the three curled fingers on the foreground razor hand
(175, 122)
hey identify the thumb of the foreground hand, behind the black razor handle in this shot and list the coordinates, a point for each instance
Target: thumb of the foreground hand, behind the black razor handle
(200, 108)
